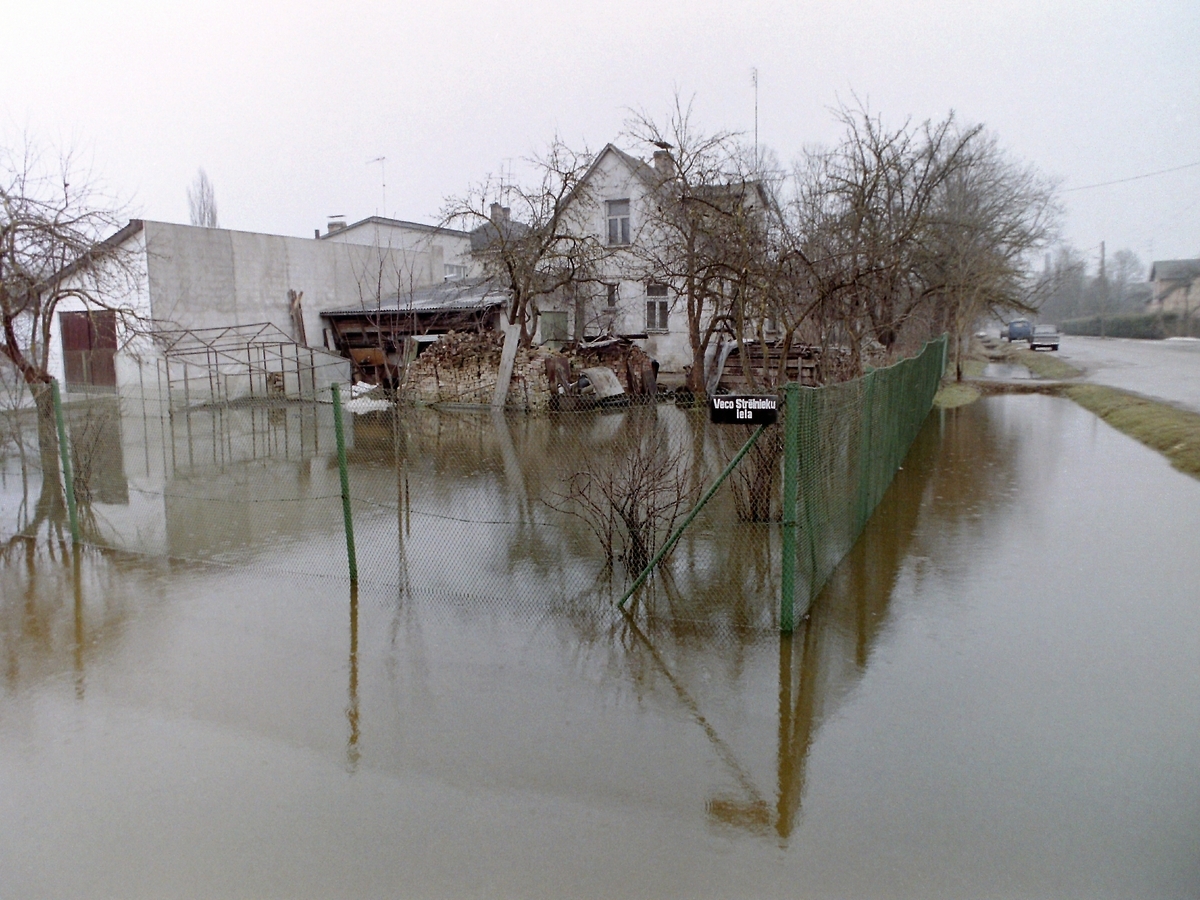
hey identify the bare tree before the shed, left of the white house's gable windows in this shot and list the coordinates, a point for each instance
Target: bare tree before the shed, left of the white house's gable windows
(535, 241)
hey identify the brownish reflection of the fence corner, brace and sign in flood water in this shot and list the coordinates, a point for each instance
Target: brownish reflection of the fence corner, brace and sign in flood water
(963, 460)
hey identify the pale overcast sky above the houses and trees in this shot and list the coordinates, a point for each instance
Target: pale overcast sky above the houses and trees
(285, 104)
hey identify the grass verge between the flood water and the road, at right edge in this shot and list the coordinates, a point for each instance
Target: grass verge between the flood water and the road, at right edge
(1173, 433)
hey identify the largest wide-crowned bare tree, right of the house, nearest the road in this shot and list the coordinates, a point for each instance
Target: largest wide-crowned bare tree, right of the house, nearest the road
(910, 230)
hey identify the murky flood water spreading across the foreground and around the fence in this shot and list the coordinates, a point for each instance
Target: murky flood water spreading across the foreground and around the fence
(997, 695)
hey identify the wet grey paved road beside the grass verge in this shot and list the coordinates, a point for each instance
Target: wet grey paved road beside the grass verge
(1166, 370)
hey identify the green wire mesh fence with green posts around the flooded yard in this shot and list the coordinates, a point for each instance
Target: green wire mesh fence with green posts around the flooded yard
(539, 517)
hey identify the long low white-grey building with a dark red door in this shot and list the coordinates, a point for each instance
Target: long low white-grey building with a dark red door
(230, 313)
